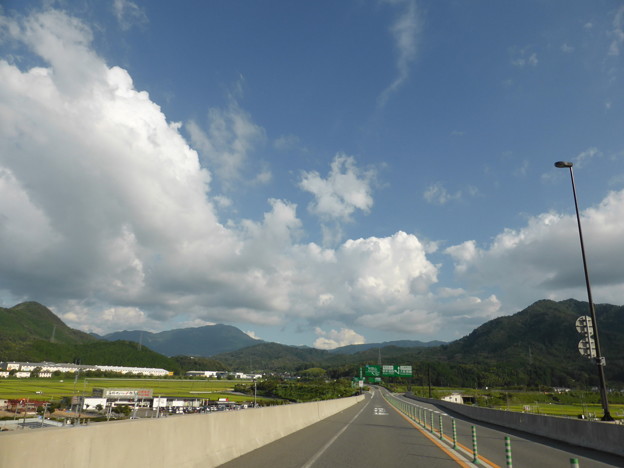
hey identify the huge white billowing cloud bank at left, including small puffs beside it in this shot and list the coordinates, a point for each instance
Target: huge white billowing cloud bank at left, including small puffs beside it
(107, 212)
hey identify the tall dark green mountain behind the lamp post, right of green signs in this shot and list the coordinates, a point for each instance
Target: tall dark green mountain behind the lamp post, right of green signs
(536, 346)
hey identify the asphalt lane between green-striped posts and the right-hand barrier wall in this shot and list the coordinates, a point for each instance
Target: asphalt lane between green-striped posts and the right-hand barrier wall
(527, 450)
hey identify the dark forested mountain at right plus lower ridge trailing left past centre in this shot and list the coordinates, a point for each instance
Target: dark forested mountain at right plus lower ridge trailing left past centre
(537, 346)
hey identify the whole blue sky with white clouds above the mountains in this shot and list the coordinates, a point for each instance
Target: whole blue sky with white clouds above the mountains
(314, 173)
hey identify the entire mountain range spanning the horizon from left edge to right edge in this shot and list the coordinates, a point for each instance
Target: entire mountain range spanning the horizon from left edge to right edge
(536, 346)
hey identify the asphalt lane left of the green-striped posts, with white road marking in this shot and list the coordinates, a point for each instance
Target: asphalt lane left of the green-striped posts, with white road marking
(369, 434)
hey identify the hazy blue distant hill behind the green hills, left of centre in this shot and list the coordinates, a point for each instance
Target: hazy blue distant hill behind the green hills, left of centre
(198, 341)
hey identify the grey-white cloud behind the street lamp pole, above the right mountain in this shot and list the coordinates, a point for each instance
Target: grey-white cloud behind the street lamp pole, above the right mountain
(543, 259)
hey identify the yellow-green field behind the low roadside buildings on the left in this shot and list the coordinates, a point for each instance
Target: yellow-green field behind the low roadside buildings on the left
(55, 389)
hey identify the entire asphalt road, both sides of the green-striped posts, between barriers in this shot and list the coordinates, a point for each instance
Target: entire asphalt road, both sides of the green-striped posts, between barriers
(374, 434)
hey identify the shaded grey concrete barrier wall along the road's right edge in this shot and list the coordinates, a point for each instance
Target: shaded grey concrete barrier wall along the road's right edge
(606, 437)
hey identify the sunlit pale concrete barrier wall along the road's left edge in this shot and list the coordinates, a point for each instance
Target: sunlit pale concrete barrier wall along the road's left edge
(189, 441)
